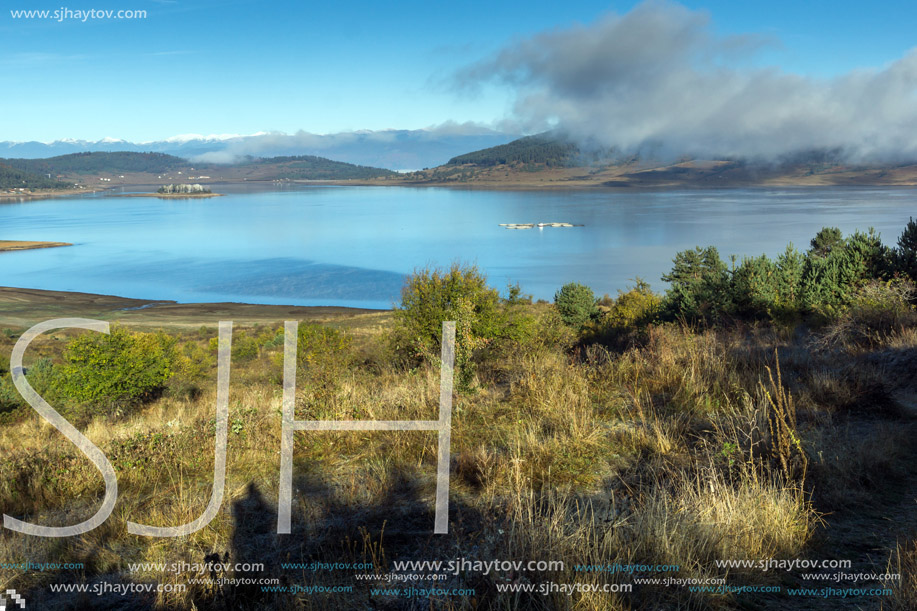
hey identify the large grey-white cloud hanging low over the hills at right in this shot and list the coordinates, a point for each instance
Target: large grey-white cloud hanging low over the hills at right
(658, 77)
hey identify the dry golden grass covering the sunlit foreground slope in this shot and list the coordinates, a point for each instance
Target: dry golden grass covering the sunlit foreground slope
(691, 447)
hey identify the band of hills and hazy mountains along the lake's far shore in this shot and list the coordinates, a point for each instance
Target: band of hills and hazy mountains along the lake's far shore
(547, 160)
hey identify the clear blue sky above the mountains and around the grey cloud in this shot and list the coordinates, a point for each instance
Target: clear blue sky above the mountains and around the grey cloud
(242, 67)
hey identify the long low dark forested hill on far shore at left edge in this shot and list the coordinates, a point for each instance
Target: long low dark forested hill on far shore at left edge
(95, 163)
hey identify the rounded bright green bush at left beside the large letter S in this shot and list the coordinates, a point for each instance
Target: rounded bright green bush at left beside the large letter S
(117, 371)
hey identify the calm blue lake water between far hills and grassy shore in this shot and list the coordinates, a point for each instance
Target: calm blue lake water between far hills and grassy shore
(352, 246)
